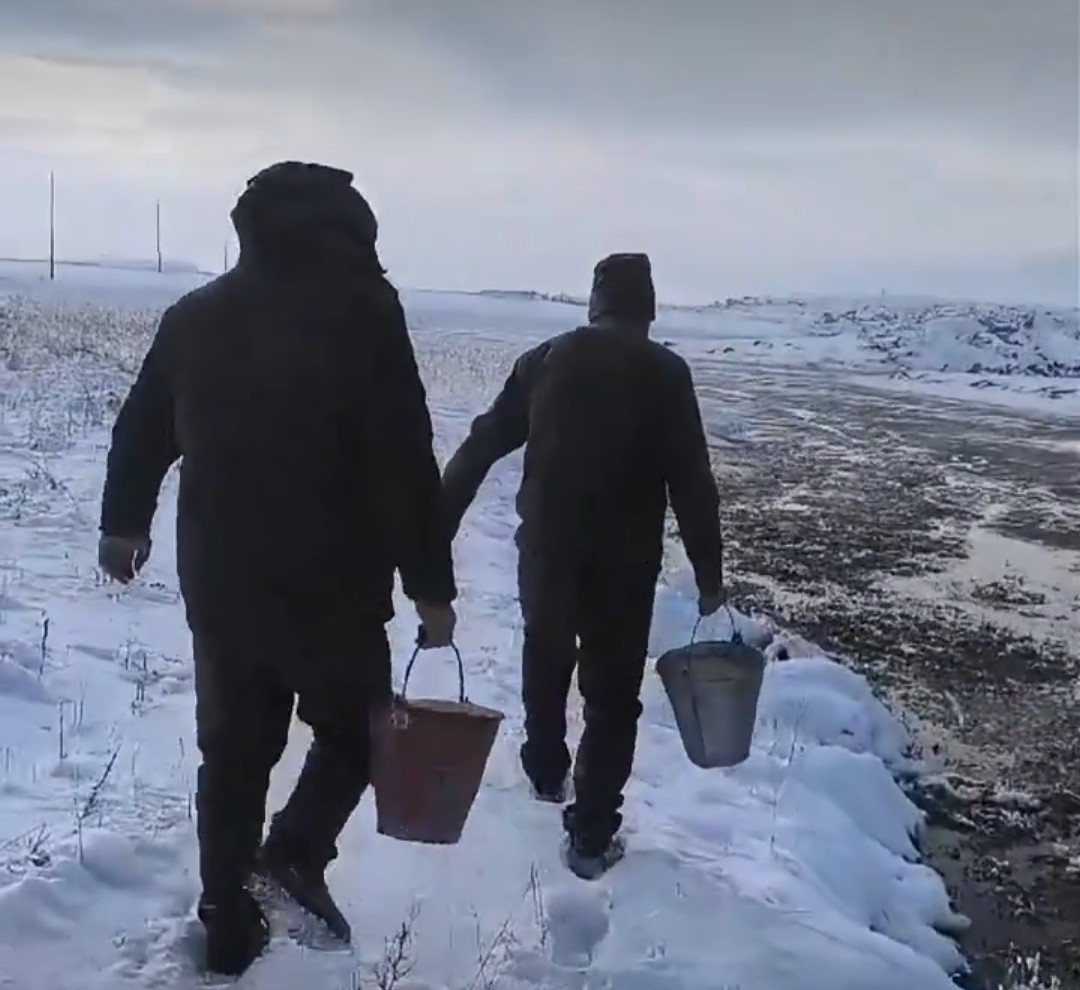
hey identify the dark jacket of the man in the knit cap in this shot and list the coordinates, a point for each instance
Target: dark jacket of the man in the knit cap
(612, 429)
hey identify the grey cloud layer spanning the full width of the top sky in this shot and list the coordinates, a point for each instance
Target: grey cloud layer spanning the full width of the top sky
(1001, 70)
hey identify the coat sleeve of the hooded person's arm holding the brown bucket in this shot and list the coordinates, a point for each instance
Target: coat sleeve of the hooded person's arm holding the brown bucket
(402, 441)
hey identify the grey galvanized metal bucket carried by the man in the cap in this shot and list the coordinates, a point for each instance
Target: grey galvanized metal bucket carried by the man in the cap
(714, 689)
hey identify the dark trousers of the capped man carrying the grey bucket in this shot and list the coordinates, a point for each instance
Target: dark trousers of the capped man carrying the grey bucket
(609, 609)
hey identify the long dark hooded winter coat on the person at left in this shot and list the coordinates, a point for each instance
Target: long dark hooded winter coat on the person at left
(290, 389)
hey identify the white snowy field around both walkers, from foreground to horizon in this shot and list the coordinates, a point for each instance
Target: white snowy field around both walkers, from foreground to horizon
(798, 871)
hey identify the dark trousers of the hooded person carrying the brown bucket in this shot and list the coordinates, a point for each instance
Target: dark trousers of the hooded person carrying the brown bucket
(246, 694)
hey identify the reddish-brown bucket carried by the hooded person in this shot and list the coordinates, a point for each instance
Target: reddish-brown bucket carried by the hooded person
(430, 757)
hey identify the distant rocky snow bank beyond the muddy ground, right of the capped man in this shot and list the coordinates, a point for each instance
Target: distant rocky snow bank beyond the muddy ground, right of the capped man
(1016, 357)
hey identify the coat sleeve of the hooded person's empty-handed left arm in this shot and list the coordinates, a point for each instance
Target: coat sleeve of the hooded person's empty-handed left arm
(144, 445)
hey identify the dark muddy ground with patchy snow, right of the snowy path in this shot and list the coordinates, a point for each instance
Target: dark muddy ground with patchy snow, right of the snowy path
(937, 546)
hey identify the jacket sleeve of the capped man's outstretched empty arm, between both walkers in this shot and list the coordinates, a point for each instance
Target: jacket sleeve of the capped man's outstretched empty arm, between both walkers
(495, 433)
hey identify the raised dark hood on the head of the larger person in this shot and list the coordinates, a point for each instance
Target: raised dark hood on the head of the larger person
(298, 215)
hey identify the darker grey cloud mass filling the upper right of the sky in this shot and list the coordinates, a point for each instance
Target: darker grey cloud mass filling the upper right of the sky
(993, 66)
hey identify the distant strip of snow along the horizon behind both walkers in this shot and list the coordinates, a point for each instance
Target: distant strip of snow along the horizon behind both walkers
(1025, 358)
